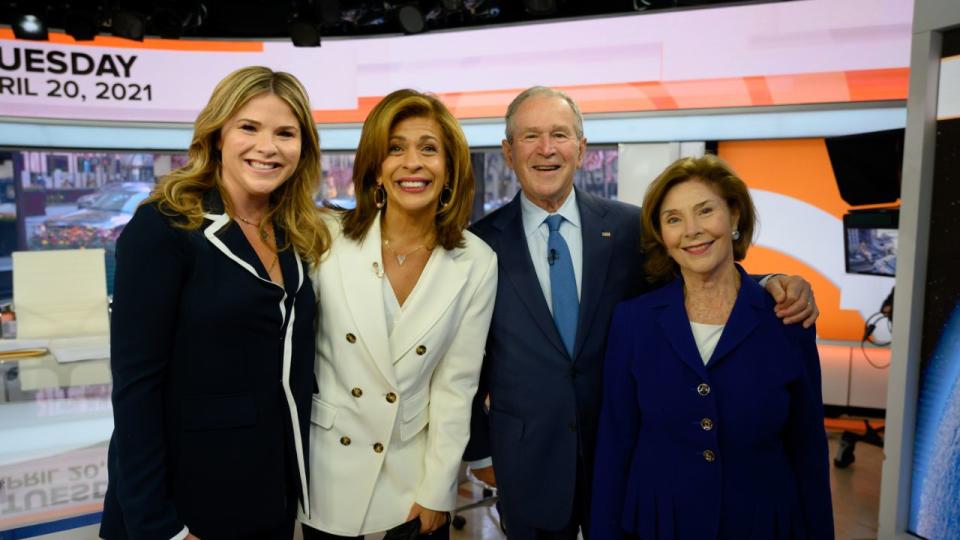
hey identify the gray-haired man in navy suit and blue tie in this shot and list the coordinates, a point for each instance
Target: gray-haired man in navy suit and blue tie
(566, 258)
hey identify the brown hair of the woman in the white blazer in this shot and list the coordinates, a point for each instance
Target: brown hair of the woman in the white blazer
(374, 142)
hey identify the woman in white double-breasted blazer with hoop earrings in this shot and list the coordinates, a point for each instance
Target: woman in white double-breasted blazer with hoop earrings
(406, 296)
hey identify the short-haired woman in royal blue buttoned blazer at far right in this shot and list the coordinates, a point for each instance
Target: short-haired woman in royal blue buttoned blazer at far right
(712, 420)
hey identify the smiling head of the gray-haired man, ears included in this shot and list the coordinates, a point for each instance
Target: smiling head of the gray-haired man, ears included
(545, 151)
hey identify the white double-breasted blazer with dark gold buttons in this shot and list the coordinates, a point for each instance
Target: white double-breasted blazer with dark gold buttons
(392, 415)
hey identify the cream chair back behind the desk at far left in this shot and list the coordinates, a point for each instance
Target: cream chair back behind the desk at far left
(60, 293)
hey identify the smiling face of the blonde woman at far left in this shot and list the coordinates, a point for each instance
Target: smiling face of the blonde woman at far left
(259, 148)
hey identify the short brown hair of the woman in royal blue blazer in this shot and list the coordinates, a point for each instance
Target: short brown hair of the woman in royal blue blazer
(712, 171)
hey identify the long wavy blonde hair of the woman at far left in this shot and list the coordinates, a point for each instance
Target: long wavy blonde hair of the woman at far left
(291, 204)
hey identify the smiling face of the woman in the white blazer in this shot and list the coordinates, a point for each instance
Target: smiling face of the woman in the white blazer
(414, 171)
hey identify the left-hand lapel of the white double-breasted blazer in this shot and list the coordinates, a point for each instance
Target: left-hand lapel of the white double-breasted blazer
(361, 268)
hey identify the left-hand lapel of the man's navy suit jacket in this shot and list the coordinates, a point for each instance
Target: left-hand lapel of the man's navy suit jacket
(515, 259)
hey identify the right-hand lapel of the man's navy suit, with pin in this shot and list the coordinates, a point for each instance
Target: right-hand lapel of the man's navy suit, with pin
(597, 250)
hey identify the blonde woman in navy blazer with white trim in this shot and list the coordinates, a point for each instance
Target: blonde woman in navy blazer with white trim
(213, 326)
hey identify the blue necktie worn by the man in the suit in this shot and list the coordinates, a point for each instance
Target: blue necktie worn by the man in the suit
(563, 284)
